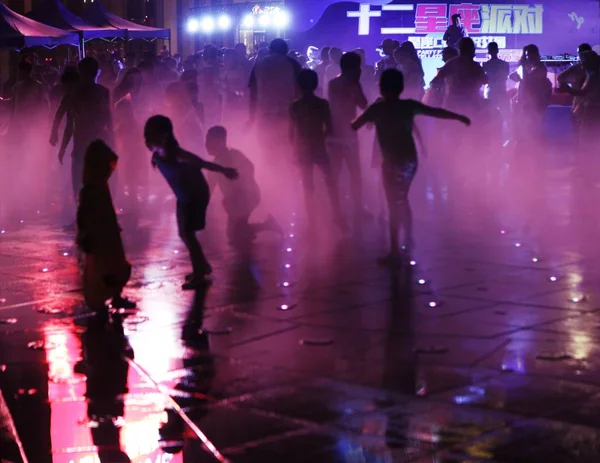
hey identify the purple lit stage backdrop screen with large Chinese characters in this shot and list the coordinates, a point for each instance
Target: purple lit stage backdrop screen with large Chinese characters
(556, 26)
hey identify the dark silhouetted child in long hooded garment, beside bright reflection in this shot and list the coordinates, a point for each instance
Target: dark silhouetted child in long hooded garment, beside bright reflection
(106, 269)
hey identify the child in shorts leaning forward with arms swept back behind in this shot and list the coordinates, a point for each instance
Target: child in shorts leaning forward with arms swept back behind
(183, 172)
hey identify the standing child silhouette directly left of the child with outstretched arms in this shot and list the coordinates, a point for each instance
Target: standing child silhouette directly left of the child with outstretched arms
(310, 125)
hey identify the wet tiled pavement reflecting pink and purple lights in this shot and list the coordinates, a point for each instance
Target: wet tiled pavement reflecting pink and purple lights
(480, 348)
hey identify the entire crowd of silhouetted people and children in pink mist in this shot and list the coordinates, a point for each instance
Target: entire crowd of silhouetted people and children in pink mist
(306, 112)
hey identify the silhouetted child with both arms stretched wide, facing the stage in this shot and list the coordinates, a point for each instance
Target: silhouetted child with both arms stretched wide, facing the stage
(394, 121)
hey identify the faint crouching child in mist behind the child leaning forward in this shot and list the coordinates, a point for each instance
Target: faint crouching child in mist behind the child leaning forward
(241, 198)
